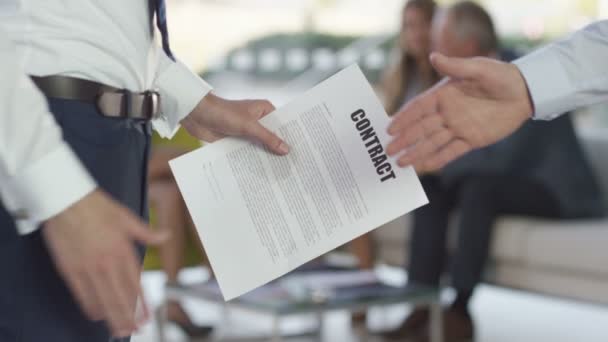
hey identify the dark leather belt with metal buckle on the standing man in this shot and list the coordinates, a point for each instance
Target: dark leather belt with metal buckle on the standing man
(110, 101)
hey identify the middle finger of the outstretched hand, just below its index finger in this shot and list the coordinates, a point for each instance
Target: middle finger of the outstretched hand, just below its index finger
(425, 127)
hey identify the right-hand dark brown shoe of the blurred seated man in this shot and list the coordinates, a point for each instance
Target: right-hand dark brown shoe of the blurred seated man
(457, 327)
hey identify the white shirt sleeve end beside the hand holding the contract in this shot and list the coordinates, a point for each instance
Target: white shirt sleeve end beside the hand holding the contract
(180, 91)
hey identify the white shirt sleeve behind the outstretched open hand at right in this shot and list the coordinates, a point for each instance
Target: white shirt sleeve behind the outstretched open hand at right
(569, 73)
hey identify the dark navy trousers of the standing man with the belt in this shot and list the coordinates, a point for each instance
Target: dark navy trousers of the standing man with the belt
(35, 304)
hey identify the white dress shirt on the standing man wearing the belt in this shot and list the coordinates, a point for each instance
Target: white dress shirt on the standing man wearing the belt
(105, 41)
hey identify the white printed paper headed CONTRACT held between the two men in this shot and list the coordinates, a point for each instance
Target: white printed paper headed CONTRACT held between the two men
(260, 215)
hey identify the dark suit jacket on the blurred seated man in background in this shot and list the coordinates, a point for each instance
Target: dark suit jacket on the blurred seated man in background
(544, 151)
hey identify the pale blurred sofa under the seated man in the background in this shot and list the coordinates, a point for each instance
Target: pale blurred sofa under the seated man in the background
(562, 258)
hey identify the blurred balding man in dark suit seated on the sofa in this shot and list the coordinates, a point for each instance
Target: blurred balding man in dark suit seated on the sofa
(540, 171)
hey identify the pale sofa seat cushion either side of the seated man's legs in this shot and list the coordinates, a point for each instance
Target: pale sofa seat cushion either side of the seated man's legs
(573, 245)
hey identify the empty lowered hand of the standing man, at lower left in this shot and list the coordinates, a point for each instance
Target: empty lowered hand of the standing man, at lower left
(91, 244)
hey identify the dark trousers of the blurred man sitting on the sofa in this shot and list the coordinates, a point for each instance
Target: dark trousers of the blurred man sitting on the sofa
(480, 201)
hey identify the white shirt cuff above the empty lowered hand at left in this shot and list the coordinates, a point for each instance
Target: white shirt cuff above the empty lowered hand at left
(48, 187)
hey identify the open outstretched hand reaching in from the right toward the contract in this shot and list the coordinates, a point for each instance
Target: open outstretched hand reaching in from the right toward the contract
(480, 101)
